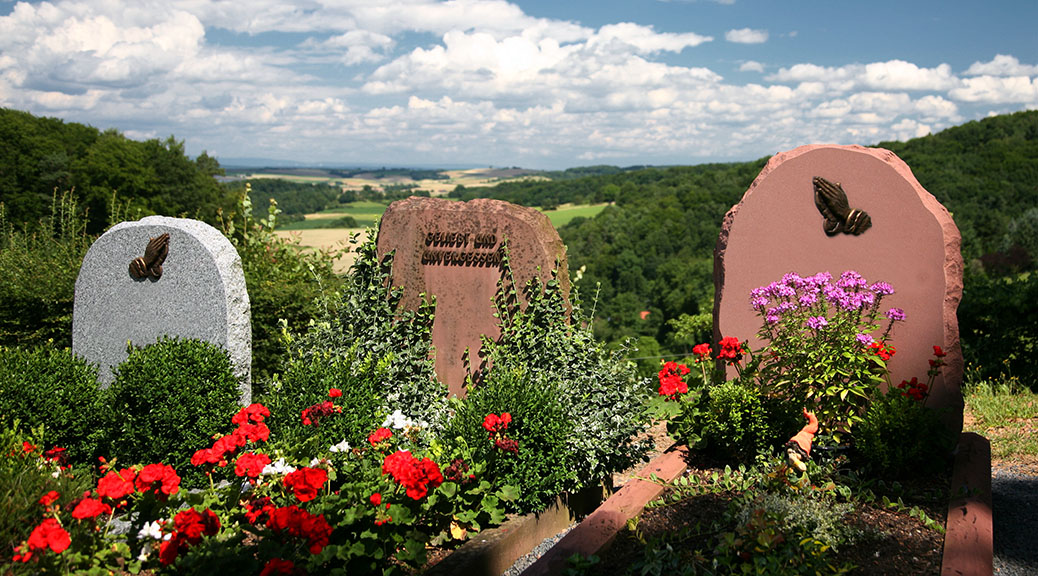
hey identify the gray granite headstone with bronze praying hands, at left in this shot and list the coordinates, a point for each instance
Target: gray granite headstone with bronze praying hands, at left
(201, 294)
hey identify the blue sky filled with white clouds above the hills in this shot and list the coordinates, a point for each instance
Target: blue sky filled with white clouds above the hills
(537, 84)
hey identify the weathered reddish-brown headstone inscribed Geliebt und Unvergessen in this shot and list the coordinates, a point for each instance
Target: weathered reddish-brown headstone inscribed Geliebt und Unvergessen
(453, 252)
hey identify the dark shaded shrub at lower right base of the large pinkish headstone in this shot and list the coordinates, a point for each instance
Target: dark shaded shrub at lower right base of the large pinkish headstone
(900, 437)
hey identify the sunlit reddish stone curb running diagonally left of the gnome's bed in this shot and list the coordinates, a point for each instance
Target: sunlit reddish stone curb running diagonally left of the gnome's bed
(602, 528)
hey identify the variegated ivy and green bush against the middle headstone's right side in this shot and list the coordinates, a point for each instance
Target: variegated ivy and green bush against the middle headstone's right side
(562, 389)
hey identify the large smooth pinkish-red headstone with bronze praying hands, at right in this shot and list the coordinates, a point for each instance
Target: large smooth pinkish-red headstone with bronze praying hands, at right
(912, 244)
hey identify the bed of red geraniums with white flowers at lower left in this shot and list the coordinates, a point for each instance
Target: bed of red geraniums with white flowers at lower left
(375, 508)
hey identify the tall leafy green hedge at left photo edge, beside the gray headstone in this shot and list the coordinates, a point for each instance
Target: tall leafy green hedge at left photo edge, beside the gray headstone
(39, 268)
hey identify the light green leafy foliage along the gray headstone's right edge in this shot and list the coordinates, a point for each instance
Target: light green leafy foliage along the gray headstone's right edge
(284, 282)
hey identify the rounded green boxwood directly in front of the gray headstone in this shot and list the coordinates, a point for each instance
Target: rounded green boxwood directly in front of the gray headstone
(168, 401)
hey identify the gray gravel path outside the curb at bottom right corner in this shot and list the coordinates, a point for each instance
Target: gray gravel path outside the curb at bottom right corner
(1015, 500)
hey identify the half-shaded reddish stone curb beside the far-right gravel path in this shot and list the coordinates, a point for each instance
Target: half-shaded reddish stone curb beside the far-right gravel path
(969, 542)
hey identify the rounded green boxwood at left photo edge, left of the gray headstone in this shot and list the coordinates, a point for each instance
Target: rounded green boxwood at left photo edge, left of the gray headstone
(54, 390)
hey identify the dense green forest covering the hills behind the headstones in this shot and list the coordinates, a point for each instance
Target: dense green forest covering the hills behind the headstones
(647, 259)
